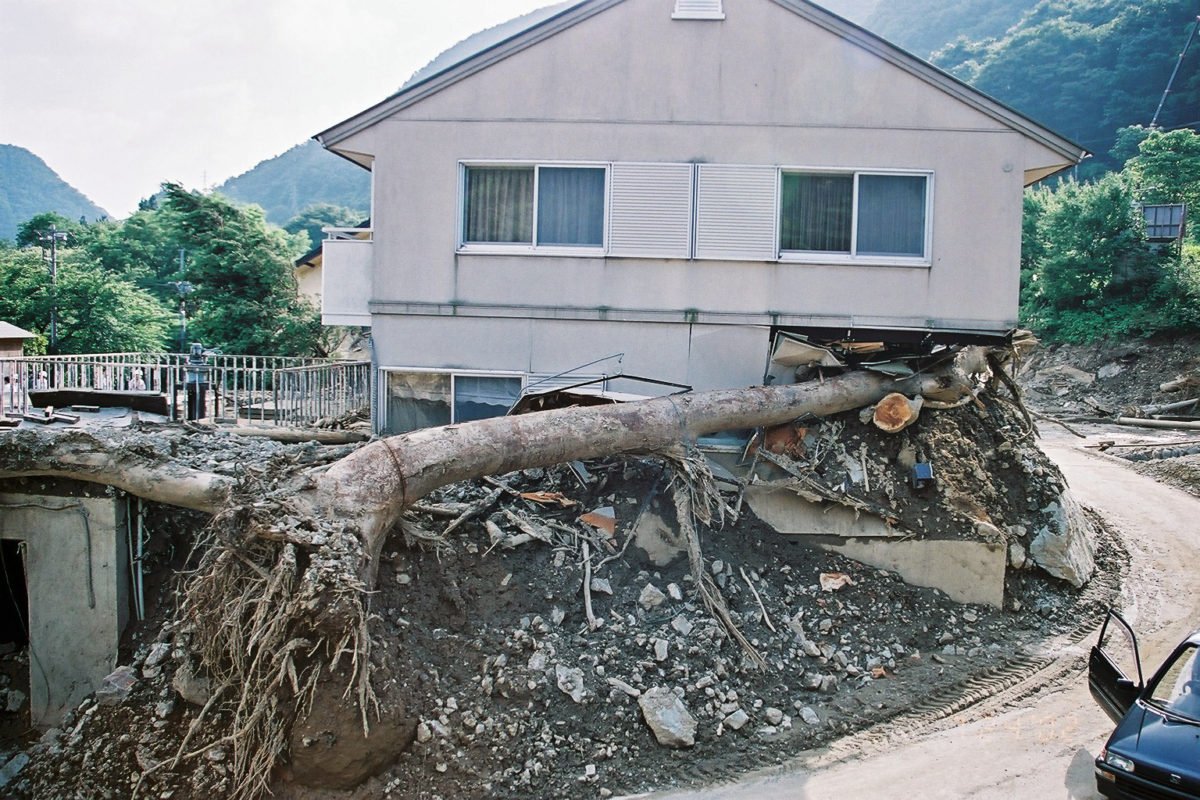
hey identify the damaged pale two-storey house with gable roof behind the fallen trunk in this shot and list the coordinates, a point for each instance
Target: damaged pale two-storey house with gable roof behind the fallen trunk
(656, 188)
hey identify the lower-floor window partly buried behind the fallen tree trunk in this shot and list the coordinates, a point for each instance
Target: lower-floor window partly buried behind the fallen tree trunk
(424, 399)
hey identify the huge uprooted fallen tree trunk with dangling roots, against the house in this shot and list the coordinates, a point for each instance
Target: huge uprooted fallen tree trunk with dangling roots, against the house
(261, 612)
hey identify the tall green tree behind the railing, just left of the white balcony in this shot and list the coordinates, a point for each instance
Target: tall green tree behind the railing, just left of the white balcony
(245, 294)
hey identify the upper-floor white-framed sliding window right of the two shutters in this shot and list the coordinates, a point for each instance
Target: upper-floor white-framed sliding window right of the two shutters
(866, 216)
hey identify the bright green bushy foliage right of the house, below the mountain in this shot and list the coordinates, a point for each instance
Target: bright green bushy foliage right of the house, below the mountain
(1088, 270)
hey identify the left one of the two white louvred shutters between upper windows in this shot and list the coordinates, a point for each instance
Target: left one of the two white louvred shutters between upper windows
(651, 210)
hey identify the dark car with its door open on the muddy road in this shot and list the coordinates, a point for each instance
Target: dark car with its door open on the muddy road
(1155, 751)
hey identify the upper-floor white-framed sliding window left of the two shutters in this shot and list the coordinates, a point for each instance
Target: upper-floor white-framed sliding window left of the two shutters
(532, 207)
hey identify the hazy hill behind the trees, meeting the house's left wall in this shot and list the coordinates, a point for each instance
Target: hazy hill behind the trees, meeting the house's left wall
(303, 177)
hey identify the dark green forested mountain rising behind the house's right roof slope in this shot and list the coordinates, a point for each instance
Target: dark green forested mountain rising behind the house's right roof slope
(1089, 68)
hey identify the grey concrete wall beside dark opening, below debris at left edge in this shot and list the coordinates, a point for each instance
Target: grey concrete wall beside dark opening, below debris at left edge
(75, 561)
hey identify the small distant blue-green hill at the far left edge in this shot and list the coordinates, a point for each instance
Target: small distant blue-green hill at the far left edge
(29, 188)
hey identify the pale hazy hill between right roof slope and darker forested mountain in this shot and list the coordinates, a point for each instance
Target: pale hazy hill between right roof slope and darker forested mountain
(923, 27)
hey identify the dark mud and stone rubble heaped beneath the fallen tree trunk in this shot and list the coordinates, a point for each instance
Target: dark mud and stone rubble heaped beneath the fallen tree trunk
(496, 685)
